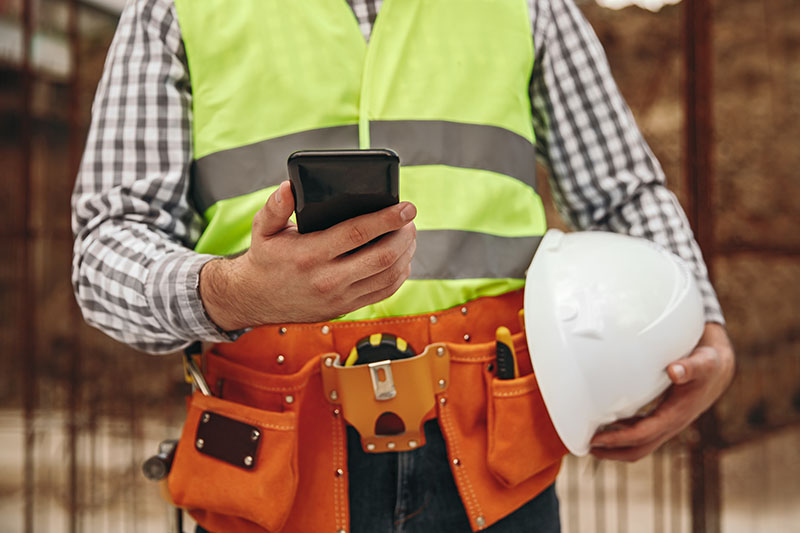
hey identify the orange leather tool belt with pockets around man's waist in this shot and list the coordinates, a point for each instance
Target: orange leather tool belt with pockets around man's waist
(268, 451)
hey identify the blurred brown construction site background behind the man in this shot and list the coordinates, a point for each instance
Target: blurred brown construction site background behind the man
(715, 87)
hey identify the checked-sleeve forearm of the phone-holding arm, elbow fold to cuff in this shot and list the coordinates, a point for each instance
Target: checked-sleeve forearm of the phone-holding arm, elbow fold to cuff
(139, 290)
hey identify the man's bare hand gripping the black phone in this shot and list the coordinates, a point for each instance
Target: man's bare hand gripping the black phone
(286, 277)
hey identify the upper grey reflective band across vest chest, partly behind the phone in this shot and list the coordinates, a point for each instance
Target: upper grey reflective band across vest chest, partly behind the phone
(246, 169)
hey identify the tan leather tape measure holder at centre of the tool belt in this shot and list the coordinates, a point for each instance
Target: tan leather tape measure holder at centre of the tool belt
(397, 394)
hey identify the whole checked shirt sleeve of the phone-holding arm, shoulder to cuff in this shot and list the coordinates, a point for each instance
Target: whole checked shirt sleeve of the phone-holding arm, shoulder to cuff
(134, 273)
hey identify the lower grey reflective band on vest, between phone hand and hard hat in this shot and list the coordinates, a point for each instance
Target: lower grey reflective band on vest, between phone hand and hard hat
(452, 254)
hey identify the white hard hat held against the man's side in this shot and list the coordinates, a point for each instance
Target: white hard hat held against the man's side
(604, 316)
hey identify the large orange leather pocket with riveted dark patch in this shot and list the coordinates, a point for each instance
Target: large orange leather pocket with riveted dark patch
(236, 460)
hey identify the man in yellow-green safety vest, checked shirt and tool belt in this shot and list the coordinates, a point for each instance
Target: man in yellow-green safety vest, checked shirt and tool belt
(197, 110)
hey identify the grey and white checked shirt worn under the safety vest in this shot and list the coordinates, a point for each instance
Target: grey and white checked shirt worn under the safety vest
(134, 272)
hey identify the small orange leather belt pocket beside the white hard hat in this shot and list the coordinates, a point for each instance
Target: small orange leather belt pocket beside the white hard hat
(522, 440)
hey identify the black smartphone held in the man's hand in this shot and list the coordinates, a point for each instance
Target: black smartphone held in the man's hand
(331, 186)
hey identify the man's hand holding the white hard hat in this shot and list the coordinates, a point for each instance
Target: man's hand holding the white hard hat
(698, 380)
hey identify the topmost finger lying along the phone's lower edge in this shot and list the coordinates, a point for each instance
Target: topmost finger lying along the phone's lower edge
(358, 231)
